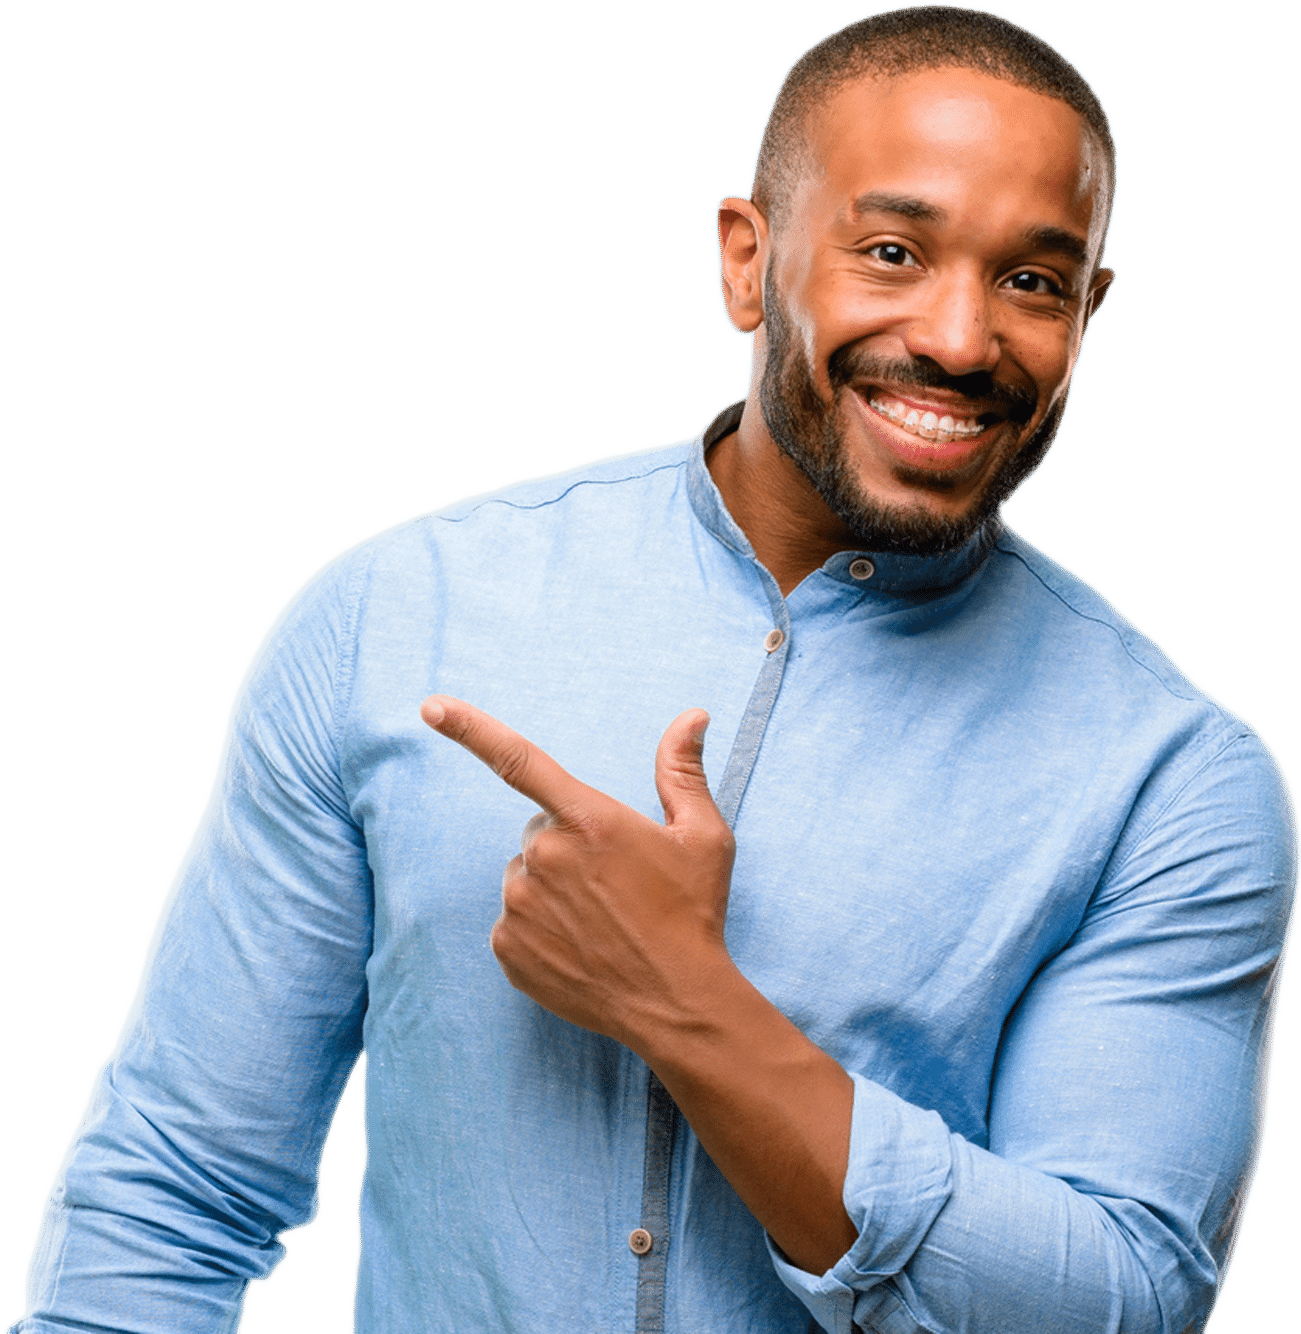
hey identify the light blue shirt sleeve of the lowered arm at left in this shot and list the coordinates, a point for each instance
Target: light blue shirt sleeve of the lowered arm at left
(203, 1131)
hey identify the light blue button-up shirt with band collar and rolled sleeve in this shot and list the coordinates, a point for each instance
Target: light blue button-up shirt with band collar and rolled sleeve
(999, 854)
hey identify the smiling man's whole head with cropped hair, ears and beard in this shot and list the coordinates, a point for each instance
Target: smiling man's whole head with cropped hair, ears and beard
(931, 205)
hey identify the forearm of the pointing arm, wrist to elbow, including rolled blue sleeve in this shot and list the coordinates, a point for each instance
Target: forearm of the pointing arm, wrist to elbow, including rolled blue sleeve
(941, 1232)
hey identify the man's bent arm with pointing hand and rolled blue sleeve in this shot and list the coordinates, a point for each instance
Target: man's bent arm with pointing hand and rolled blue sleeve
(1108, 1199)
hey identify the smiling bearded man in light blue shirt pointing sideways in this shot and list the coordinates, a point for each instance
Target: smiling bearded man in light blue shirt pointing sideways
(1005, 892)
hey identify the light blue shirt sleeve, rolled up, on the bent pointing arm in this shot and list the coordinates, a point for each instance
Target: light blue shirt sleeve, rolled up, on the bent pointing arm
(1130, 1107)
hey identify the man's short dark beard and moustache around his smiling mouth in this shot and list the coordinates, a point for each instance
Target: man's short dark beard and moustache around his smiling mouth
(809, 432)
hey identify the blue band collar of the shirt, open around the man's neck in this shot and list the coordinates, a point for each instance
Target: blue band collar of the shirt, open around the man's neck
(893, 572)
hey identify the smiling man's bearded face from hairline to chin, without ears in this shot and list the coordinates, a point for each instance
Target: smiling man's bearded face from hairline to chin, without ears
(925, 303)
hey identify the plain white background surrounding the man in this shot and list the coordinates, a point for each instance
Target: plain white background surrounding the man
(296, 285)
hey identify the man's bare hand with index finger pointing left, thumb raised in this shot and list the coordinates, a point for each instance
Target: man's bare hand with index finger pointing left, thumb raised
(609, 920)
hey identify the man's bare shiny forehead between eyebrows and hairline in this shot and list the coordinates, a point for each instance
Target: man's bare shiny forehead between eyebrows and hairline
(959, 139)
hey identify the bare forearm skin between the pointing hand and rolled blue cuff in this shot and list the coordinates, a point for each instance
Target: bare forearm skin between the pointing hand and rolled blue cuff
(771, 1108)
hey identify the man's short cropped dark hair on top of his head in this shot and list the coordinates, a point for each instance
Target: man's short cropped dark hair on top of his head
(904, 41)
